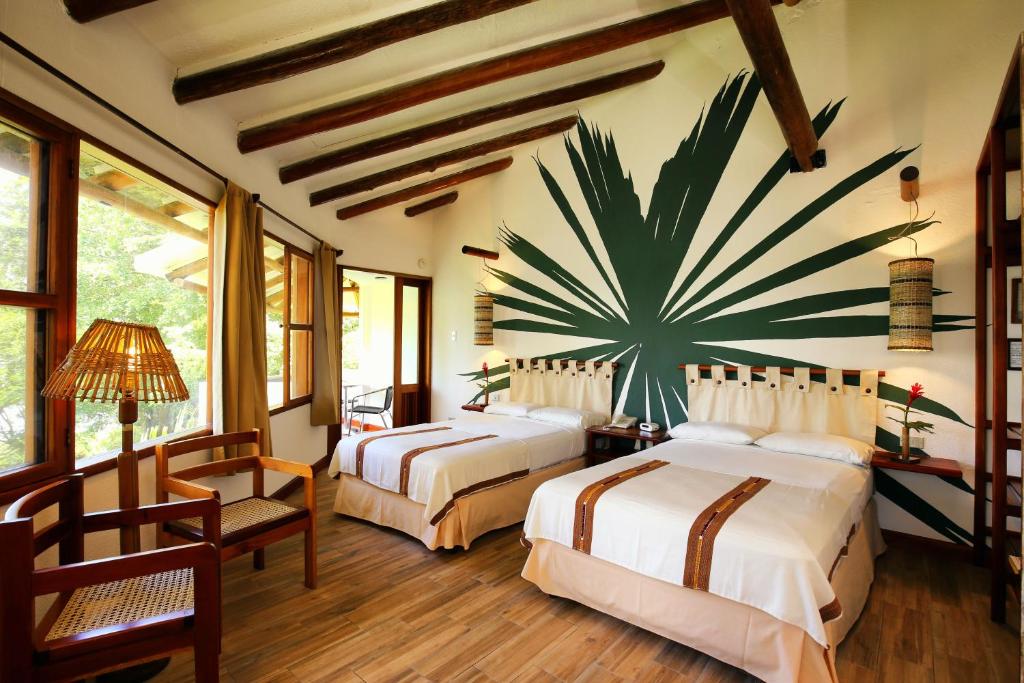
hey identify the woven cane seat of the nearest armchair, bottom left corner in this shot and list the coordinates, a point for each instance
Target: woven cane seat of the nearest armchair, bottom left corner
(123, 603)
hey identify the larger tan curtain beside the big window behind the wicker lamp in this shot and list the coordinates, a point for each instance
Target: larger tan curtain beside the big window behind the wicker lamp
(240, 320)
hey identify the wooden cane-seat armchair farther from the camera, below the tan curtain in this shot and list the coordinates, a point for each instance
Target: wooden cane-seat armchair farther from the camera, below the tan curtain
(247, 526)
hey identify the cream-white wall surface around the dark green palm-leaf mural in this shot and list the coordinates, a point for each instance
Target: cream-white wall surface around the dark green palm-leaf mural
(914, 73)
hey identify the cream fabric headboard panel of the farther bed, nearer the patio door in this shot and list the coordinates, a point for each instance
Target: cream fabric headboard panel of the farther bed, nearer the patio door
(589, 388)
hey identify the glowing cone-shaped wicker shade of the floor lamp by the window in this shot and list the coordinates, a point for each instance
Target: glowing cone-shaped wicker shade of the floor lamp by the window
(115, 361)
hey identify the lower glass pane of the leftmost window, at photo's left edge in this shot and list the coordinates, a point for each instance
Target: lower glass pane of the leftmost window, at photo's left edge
(23, 355)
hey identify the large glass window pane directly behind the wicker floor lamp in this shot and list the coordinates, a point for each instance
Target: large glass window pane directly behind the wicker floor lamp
(143, 258)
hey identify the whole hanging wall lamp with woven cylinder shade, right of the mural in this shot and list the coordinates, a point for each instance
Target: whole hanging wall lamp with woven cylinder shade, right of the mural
(911, 283)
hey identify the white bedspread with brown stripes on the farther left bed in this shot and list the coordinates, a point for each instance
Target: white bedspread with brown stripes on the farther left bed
(437, 477)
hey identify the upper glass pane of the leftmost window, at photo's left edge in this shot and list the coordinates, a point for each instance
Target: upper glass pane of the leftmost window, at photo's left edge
(24, 180)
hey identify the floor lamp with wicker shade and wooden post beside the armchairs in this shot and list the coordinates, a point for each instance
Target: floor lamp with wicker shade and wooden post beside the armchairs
(120, 363)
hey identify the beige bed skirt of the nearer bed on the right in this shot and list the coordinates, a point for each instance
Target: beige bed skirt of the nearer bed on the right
(738, 634)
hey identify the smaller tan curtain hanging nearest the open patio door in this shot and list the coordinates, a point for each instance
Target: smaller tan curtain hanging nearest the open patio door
(326, 408)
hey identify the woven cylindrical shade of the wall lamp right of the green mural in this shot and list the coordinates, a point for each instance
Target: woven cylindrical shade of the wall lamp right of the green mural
(911, 305)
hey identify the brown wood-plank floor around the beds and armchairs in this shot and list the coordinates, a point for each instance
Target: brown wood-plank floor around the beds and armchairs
(388, 610)
